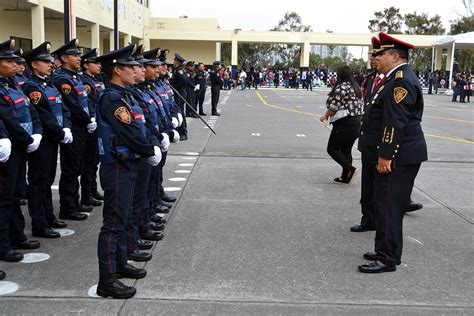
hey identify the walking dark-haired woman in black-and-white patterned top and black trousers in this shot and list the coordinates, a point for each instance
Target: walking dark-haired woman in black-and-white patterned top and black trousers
(344, 111)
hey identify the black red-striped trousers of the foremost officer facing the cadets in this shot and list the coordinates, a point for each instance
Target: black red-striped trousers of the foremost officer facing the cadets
(392, 196)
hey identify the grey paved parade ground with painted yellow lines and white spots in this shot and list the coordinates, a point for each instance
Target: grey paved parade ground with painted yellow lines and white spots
(260, 227)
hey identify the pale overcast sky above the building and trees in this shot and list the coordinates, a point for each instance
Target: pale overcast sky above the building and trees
(344, 16)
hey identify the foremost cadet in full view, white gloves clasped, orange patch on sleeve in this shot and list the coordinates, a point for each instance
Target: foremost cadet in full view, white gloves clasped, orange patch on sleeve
(122, 142)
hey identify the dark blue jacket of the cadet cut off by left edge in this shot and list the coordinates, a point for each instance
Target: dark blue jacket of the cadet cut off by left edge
(16, 133)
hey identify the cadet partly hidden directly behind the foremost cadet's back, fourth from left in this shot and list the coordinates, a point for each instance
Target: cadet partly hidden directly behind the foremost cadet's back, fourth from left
(94, 88)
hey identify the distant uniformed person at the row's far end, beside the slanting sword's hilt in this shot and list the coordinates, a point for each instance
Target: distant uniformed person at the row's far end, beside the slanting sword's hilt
(179, 82)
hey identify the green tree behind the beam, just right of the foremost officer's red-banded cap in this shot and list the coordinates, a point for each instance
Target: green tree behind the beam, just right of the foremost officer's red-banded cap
(422, 24)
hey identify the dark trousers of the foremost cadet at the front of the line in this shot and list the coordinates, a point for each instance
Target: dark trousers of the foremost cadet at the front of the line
(118, 182)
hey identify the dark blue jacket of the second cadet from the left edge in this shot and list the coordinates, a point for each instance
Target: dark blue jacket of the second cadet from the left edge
(35, 89)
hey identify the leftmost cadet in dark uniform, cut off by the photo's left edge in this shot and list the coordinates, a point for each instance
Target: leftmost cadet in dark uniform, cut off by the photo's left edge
(24, 131)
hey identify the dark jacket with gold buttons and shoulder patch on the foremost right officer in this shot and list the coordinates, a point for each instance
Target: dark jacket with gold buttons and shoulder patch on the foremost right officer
(391, 124)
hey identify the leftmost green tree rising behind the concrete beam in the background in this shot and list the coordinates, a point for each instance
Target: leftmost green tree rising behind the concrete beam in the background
(289, 53)
